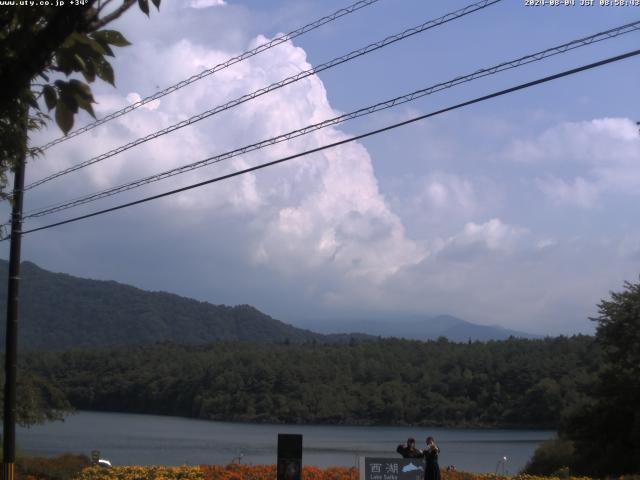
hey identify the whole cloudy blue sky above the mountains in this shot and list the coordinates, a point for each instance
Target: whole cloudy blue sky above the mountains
(519, 211)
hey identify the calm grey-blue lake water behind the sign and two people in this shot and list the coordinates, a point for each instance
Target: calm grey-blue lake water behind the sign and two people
(128, 439)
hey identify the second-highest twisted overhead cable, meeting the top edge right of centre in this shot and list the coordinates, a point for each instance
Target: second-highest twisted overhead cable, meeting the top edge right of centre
(274, 86)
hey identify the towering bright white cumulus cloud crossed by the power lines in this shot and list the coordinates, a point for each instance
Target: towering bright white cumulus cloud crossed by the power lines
(321, 215)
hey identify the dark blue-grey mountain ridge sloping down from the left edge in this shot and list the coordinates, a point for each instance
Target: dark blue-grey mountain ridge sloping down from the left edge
(59, 311)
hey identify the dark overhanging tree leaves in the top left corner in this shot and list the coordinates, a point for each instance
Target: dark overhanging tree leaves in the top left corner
(41, 48)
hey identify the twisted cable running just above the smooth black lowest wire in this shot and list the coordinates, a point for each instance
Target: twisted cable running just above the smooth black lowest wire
(534, 57)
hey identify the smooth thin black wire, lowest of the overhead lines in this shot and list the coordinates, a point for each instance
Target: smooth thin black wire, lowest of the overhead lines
(347, 140)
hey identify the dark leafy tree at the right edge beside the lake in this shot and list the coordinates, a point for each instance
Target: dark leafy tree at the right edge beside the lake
(606, 430)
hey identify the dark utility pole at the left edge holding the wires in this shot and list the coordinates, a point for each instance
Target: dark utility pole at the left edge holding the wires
(11, 347)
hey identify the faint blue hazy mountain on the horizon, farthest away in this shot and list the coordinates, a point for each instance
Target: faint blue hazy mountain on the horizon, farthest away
(419, 328)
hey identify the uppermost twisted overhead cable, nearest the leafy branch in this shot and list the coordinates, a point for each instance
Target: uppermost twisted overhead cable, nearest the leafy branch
(232, 61)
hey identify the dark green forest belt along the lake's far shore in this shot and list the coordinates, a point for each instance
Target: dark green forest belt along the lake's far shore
(510, 383)
